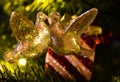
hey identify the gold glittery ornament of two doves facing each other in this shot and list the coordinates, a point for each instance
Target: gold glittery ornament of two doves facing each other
(61, 34)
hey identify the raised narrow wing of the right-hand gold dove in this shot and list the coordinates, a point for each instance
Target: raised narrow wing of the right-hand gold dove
(81, 23)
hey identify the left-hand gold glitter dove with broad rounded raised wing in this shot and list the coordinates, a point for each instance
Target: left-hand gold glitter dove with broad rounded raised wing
(33, 40)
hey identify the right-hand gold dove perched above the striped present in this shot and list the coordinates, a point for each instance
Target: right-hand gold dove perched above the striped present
(65, 39)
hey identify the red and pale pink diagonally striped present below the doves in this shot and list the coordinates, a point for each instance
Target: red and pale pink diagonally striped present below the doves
(76, 67)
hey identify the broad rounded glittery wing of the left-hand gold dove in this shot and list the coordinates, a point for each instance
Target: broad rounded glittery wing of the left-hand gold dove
(21, 26)
